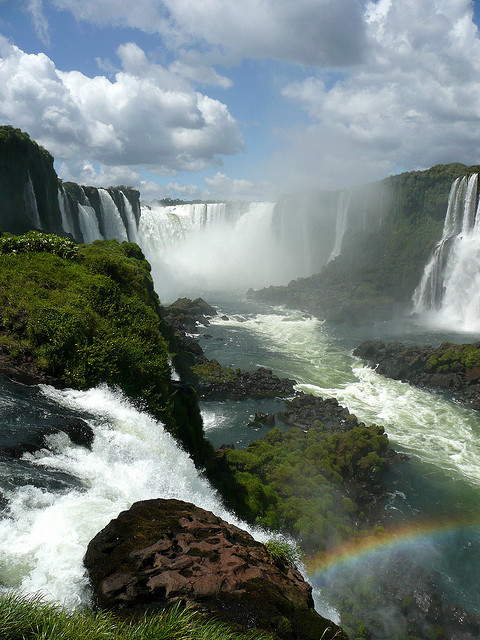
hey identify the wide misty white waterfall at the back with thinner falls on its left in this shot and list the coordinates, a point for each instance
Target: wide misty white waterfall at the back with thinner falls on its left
(215, 245)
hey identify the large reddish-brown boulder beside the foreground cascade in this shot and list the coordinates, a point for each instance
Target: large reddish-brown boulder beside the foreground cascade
(163, 551)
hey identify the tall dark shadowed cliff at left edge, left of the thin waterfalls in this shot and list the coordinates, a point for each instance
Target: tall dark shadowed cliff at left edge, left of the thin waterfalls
(28, 184)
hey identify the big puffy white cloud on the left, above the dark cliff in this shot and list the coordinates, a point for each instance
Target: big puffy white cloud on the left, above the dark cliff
(146, 116)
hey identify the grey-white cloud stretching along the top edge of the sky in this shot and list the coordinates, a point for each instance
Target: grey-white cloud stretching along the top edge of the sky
(318, 32)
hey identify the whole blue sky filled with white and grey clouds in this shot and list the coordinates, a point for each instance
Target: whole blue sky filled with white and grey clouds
(242, 99)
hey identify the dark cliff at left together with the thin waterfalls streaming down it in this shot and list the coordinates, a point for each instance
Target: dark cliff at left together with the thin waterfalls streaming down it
(33, 197)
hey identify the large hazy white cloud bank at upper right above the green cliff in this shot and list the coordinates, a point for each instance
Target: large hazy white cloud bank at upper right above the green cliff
(414, 102)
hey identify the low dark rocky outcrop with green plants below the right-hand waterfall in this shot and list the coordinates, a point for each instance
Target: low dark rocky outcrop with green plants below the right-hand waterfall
(450, 368)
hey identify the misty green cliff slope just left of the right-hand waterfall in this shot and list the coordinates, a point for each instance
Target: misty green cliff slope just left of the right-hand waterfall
(382, 261)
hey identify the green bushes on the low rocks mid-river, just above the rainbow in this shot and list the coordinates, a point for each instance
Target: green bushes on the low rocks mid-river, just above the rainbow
(292, 482)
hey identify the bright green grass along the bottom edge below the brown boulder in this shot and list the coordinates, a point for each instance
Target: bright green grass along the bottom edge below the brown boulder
(24, 618)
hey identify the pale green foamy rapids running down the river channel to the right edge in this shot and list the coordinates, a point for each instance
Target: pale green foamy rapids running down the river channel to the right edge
(425, 424)
